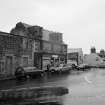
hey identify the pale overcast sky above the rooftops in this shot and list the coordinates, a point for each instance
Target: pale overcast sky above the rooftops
(82, 22)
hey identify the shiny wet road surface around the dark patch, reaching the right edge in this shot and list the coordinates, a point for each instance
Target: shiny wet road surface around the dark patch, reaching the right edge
(87, 88)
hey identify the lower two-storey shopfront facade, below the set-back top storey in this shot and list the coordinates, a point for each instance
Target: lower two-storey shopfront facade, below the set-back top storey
(54, 53)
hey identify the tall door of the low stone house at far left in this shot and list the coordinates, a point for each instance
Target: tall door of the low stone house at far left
(9, 65)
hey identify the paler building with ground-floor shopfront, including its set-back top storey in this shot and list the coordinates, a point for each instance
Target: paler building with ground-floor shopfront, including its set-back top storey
(54, 49)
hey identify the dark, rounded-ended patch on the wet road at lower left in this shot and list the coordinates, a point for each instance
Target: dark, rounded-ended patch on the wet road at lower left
(33, 96)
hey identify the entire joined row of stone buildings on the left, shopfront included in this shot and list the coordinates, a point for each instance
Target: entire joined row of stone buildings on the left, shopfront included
(28, 45)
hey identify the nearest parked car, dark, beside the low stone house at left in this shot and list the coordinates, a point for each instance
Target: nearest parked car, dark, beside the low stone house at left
(25, 72)
